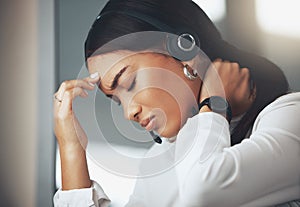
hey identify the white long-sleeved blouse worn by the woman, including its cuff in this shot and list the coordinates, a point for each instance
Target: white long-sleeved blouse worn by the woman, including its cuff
(263, 170)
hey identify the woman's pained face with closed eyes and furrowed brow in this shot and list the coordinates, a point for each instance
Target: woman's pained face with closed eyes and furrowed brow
(151, 87)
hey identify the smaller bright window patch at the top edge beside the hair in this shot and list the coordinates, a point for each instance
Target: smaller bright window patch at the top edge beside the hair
(215, 9)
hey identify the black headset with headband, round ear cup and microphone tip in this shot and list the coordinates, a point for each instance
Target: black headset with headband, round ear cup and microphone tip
(182, 45)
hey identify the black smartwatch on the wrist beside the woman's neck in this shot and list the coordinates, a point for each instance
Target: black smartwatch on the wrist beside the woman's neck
(218, 105)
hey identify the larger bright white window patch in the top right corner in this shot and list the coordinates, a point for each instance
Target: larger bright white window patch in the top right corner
(279, 16)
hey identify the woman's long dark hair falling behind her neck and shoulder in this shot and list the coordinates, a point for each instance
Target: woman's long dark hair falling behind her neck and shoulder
(269, 79)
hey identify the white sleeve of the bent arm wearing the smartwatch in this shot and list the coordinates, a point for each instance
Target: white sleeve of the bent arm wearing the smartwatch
(260, 171)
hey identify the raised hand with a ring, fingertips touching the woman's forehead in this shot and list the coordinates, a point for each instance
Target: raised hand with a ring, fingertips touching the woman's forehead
(67, 129)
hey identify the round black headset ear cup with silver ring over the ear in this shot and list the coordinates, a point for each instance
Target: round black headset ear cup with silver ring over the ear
(173, 43)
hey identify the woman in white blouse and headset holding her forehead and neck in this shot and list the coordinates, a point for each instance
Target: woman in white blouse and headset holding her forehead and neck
(251, 160)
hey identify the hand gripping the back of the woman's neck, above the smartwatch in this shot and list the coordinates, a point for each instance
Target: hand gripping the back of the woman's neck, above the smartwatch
(231, 82)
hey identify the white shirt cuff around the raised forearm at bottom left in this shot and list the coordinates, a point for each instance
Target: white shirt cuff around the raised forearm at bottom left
(85, 197)
